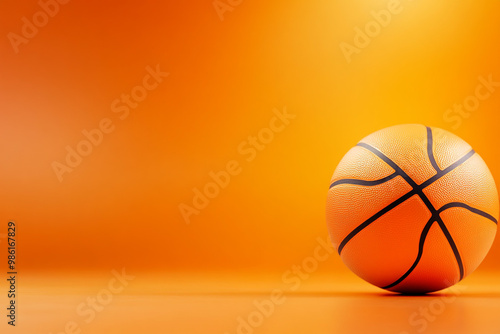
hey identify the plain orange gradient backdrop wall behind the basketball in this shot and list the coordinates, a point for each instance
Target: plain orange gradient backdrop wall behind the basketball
(120, 207)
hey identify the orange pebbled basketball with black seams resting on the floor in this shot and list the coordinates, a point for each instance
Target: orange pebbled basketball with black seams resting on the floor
(412, 209)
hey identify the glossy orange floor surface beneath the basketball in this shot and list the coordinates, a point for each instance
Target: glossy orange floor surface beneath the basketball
(192, 304)
